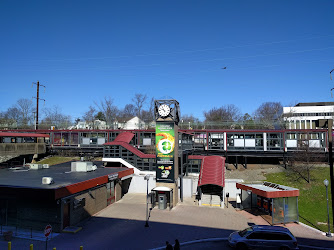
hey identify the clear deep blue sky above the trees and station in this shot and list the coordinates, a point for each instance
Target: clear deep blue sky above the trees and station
(83, 51)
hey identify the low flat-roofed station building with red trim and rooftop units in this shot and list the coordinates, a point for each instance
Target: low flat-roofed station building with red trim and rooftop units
(63, 195)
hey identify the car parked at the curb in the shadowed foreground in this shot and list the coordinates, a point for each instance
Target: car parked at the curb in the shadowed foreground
(257, 237)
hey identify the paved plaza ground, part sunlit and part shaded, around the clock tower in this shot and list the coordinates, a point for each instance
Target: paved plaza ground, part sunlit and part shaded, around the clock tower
(122, 226)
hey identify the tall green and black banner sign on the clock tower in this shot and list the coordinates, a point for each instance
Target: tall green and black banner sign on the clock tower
(165, 145)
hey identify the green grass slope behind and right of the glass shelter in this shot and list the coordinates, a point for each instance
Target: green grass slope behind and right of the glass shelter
(312, 202)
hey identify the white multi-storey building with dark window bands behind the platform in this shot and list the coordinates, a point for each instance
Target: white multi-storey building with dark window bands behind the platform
(305, 115)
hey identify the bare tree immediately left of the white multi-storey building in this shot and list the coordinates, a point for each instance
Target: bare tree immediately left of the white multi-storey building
(269, 113)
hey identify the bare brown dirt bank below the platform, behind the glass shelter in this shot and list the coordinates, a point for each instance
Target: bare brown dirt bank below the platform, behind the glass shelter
(254, 172)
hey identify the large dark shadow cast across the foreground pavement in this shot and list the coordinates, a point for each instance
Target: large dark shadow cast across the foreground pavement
(109, 233)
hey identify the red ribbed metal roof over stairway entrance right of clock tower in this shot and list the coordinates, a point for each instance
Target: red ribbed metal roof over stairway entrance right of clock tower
(212, 171)
